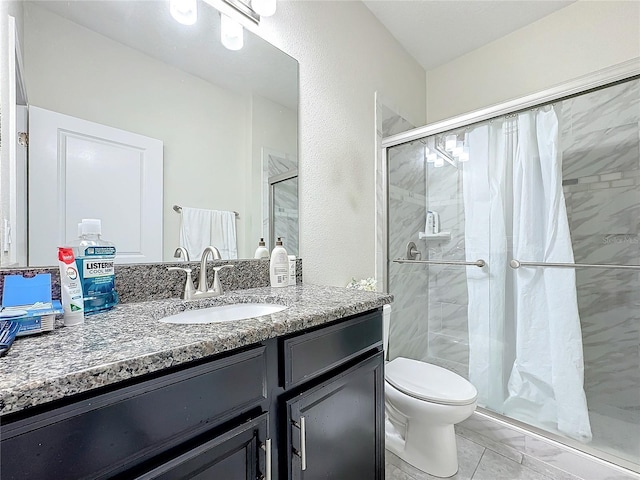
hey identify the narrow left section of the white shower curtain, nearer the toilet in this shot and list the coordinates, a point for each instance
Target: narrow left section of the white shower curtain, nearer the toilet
(485, 238)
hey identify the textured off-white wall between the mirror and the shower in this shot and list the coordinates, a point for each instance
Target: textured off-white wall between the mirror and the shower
(345, 56)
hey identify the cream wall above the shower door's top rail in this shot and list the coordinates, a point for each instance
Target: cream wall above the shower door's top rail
(577, 40)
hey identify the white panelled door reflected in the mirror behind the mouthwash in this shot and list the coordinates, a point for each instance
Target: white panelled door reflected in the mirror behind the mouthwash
(80, 169)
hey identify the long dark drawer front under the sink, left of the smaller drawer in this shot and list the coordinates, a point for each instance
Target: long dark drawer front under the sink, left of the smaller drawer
(99, 436)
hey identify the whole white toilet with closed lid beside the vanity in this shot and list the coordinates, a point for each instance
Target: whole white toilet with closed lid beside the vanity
(422, 404)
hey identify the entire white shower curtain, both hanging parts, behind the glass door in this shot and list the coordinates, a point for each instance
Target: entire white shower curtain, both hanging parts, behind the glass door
(539, 313)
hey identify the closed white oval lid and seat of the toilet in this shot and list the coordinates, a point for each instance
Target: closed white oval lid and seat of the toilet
(429, 382)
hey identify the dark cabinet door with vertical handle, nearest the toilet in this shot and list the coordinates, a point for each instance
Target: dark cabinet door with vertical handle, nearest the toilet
(336, 430)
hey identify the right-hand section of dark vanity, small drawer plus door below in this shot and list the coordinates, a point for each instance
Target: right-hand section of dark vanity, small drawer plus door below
(335, 413)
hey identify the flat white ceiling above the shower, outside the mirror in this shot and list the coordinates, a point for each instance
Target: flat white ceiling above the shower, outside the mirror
(435, 32)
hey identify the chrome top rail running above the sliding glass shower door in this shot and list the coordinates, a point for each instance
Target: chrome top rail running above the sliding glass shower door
(590, 81)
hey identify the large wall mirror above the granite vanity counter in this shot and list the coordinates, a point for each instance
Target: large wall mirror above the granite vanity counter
(223, 122)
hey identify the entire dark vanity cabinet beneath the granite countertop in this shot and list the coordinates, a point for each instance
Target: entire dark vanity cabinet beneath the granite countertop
(305, 406)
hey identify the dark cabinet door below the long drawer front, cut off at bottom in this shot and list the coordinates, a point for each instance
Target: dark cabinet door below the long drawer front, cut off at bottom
(243, 453)
